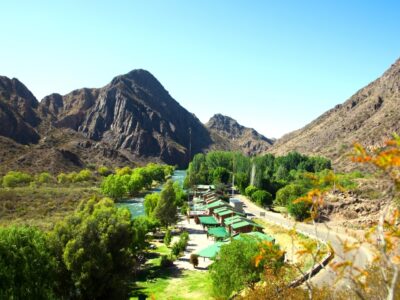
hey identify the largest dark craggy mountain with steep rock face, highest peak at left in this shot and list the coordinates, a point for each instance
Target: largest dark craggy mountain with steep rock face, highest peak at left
(134, 113)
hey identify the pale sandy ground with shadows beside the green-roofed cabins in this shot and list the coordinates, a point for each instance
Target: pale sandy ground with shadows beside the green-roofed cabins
(197, 241)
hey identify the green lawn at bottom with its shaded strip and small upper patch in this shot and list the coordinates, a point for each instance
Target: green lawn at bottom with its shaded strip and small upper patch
(171, 283)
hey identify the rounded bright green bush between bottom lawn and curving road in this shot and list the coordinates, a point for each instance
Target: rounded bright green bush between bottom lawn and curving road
(235, 268)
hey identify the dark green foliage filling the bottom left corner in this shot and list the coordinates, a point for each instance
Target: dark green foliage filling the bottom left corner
(26, 264)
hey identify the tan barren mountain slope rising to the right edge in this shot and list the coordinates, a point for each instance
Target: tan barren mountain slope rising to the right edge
(370, 116)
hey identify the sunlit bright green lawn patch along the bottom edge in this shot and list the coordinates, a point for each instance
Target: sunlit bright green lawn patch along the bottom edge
(193, 285)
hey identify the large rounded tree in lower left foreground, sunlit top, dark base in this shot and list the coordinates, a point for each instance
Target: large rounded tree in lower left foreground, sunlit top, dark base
(93, 249)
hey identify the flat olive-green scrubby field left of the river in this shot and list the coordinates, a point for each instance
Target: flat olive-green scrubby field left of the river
(41, 206)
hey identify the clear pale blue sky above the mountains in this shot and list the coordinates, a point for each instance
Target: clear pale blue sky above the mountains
(272, 65)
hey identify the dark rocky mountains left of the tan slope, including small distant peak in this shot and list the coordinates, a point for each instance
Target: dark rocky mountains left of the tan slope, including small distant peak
(133, 119)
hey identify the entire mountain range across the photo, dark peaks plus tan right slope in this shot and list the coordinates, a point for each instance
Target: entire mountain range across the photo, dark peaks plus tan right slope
(133, 119)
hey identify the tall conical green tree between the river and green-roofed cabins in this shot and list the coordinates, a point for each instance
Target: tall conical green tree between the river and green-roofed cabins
(166, 209)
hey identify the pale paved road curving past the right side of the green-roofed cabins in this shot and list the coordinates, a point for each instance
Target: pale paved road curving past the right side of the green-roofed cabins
(360, 257)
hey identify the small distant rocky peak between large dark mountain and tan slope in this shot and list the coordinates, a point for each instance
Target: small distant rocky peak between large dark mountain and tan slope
(242, 138)
